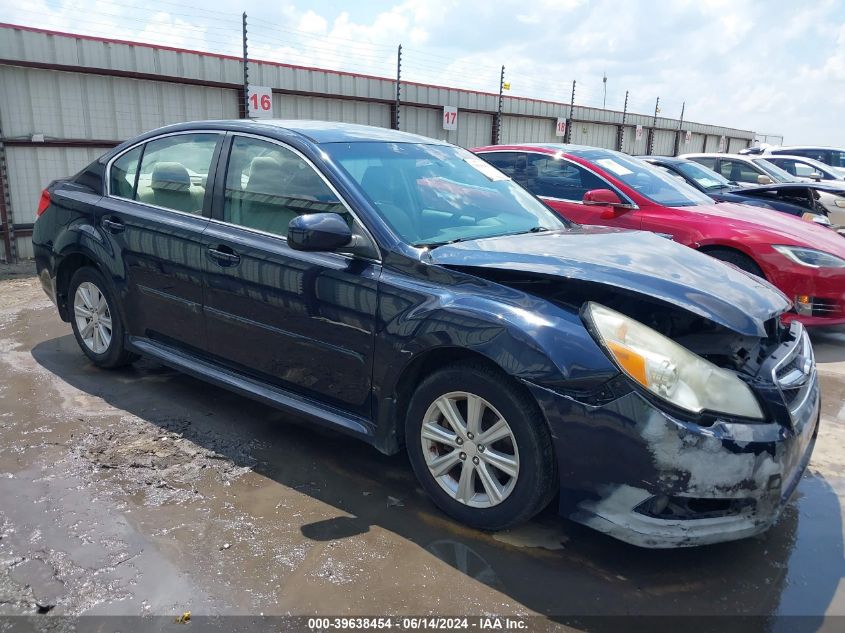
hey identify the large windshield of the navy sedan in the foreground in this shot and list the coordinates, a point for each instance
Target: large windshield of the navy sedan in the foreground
(436, 194)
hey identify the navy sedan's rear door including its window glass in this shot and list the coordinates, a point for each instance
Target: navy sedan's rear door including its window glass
(154, 215)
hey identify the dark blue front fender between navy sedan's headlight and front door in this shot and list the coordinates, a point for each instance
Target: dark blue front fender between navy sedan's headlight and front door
(529, 338)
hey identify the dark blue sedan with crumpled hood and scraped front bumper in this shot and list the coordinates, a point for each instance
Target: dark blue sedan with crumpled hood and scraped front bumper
(405, 292)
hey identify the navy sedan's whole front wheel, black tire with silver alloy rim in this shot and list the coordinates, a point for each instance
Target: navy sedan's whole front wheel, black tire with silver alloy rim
(480, 447)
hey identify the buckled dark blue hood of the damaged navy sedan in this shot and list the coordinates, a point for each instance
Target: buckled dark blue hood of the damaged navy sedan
(637, 261)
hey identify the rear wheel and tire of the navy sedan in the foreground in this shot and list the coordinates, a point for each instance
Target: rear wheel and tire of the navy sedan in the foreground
(96, 321)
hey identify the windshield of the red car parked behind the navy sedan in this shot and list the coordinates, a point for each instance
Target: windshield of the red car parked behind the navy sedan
(645, 179)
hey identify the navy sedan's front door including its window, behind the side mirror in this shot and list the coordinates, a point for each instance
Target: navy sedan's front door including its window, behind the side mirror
(304, 321)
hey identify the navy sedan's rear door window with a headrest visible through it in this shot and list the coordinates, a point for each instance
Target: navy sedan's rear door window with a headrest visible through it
(174, 171)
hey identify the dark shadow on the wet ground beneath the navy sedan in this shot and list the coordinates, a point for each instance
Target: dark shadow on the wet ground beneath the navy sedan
(552, 566)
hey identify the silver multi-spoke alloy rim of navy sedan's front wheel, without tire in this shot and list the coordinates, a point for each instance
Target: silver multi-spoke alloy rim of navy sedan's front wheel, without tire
(470, 449)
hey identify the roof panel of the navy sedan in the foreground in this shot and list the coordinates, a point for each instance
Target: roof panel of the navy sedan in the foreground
(318, 132)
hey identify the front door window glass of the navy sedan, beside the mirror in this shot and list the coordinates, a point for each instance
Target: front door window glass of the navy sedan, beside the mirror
(268, 185)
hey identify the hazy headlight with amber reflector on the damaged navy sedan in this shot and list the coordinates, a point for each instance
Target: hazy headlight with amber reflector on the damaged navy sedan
(669, 370)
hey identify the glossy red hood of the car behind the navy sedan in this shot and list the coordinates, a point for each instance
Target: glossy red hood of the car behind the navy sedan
(756, 225)
